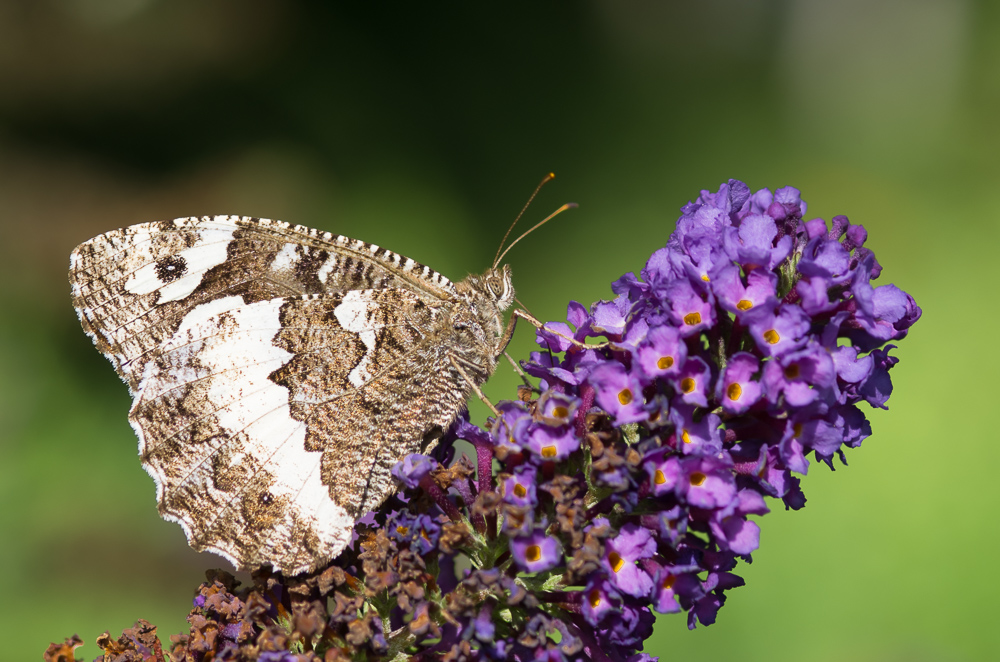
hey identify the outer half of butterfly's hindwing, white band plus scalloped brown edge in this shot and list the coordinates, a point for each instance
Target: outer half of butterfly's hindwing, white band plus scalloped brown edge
(228, 460)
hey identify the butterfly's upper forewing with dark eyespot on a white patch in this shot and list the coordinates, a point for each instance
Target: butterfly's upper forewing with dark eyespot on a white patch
(133, 287)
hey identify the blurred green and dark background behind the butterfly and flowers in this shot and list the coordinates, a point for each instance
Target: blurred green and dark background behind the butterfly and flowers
(423, 127)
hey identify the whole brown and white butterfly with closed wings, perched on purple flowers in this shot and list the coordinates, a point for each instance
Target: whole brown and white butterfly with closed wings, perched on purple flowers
(278, 372)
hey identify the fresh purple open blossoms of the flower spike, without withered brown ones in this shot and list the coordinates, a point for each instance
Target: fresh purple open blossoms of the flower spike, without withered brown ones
(746, 345)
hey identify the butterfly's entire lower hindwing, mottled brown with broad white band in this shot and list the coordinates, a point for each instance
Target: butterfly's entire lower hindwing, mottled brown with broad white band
(279, 420)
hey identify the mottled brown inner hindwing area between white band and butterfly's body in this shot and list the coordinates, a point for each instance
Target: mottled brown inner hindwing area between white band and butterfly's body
(367, 407)
